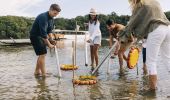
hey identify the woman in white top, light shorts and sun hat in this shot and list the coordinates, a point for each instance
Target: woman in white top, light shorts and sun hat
(94, 36)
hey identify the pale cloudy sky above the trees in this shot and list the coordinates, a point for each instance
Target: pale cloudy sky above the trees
(70, 8)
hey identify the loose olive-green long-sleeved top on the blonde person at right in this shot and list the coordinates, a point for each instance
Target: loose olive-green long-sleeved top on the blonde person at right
(144, 20)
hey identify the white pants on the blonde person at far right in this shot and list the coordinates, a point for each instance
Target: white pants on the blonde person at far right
(158, 41)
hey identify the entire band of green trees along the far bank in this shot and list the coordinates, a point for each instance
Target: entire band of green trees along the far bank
(19, 27)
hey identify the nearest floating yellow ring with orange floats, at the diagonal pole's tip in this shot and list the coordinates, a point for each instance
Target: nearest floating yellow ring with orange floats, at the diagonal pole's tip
(85, 80)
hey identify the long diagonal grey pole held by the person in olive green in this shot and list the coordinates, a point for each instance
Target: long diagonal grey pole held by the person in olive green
(104, 58)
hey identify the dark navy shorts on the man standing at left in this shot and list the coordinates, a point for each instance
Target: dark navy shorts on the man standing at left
(38, 45)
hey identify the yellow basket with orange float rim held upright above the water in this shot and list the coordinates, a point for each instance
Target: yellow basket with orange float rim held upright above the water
(133, 57)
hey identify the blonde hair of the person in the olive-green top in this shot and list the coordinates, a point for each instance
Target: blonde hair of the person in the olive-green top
(135, 4)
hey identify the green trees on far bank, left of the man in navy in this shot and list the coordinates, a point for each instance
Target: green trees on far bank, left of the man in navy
(13, 26)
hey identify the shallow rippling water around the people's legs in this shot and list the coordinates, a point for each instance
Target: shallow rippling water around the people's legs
(17, 81)
